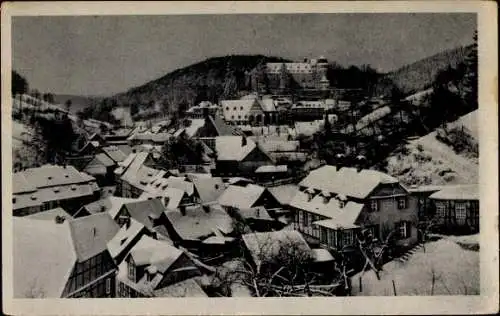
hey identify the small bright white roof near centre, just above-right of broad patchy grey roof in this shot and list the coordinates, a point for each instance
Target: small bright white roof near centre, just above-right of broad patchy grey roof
(241, 197)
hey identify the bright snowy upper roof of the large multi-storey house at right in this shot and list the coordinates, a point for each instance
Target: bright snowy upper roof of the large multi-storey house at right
(346, 181)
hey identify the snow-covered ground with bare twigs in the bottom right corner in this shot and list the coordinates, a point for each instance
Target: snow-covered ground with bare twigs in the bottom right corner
(455, 271)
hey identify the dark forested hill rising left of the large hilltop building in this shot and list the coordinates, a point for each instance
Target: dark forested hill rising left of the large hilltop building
(206, 80)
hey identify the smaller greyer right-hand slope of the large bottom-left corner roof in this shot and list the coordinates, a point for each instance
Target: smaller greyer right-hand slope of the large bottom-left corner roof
(91, 234)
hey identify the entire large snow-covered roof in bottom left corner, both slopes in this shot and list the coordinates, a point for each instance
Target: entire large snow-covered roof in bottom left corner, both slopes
(60, 246)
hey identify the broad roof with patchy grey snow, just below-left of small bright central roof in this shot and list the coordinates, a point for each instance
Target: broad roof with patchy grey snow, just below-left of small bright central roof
(198, 224)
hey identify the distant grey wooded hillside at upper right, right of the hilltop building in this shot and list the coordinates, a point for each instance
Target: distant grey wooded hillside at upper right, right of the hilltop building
(419, 75)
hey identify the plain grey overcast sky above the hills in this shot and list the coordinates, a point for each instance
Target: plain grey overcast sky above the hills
(109, 54)
